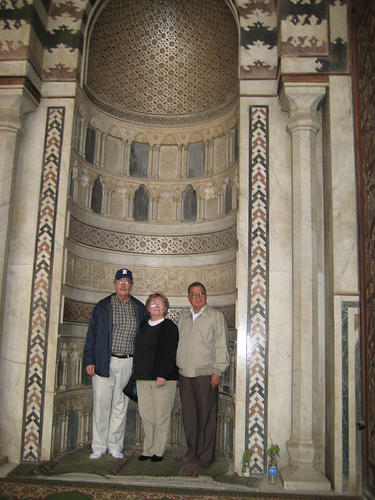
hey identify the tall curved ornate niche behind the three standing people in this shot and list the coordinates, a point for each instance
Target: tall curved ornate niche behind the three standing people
(162, 156)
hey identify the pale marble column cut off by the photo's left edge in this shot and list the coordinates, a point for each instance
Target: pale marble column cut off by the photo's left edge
(14, 104)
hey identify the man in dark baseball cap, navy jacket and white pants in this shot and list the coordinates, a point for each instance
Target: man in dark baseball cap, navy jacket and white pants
(108, 359)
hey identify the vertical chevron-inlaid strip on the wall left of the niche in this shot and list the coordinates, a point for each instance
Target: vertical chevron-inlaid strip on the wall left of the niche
(38, 330)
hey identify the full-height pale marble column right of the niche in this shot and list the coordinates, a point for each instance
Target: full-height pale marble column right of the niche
(304, 448)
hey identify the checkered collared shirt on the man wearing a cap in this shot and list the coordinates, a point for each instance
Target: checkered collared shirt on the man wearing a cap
(124, 326)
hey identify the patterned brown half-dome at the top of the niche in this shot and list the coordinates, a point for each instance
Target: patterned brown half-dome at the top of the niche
(163, 58)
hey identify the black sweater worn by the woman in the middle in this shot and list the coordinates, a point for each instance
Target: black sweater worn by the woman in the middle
(155, 351)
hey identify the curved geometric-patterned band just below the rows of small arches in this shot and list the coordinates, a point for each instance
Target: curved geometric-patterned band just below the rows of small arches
(154, 245)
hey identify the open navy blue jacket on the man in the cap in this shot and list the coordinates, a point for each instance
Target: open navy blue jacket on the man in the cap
(98, 344)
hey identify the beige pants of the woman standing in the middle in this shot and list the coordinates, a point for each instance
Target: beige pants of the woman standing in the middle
(155, 408)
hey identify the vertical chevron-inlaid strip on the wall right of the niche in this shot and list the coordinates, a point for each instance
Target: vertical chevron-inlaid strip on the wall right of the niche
(258, 314)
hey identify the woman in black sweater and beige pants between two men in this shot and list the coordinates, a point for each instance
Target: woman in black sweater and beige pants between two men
(156, 373)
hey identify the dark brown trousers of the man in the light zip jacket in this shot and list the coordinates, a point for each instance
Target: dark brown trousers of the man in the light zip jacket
(199, 407)
